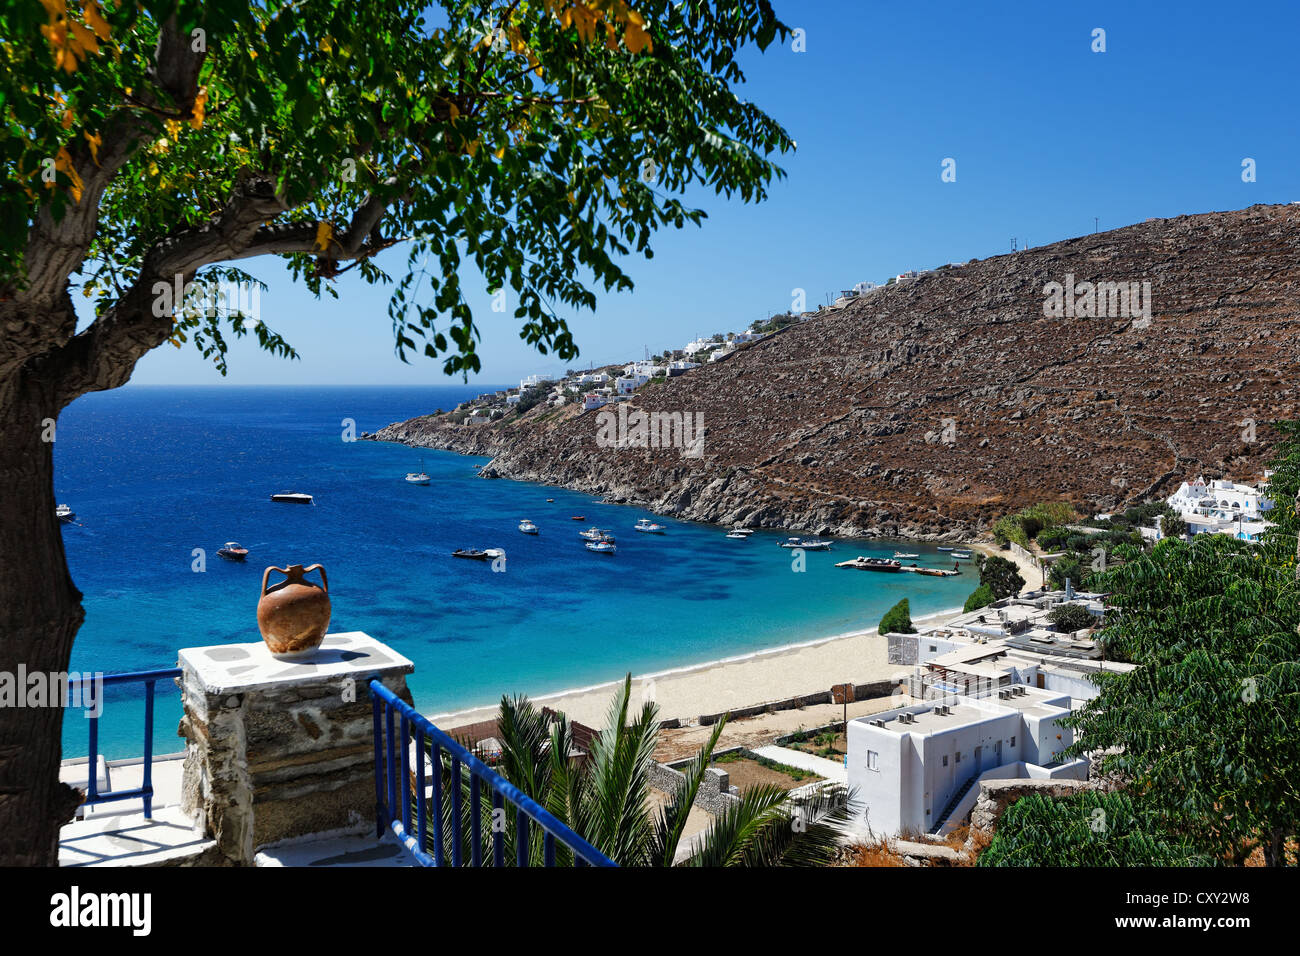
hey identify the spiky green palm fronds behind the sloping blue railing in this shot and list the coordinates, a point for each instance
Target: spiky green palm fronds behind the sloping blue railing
(605, 799)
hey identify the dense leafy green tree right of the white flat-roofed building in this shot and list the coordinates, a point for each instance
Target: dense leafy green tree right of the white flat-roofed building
(1203, 732)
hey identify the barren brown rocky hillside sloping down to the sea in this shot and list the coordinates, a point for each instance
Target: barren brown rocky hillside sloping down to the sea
(838, 425)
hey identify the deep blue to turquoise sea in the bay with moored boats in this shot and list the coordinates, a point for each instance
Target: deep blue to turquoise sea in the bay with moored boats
(157, 473)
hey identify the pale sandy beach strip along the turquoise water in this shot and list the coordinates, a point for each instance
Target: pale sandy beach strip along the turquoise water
(730, 684)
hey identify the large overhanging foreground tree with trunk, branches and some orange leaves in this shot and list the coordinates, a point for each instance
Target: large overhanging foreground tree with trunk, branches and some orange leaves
(158, 145)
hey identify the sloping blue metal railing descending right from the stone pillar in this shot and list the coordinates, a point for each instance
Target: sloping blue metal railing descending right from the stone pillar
(393, 804)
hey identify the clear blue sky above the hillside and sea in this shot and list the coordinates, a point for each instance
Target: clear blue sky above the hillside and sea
(1046, 135)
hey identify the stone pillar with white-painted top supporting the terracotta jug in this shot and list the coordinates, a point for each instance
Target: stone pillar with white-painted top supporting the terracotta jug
(283, 749)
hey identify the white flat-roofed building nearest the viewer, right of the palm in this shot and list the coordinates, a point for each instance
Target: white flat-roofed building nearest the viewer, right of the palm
(917, 768)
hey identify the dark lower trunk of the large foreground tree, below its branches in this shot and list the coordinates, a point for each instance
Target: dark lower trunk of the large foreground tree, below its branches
(40, 615)
